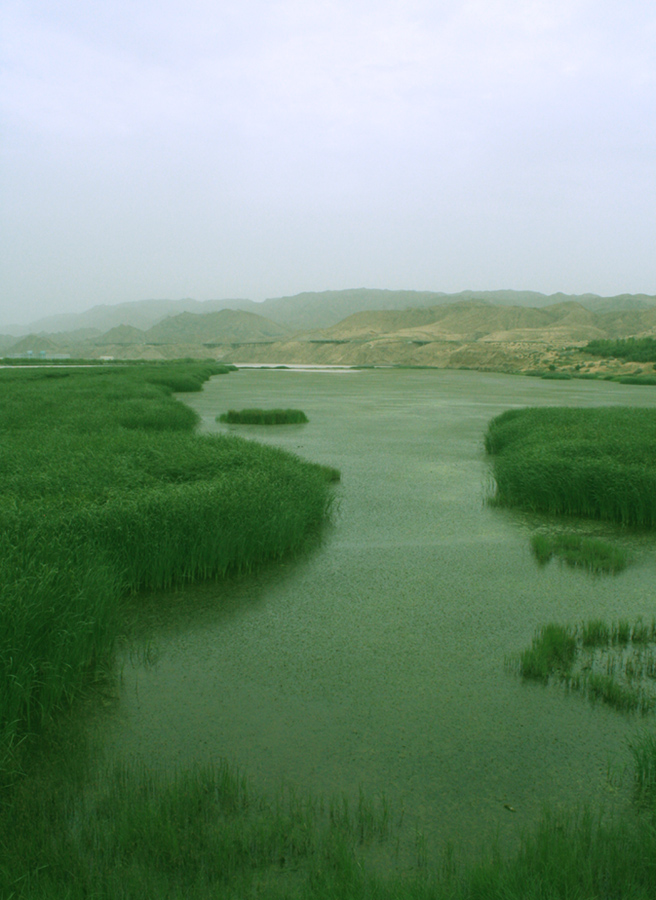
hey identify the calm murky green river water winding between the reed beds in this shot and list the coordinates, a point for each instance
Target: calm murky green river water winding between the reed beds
(377, 659)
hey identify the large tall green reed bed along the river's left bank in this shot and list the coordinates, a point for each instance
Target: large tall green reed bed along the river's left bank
(106, 490)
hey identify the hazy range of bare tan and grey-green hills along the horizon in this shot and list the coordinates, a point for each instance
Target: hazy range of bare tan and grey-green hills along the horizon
(498, 329)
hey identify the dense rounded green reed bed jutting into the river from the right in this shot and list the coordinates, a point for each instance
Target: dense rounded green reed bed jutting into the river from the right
(598, 463)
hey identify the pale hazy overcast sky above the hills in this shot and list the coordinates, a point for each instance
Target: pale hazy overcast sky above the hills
(258, 148)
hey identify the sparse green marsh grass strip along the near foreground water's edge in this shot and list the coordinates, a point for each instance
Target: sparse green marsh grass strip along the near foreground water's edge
(204, 833)
